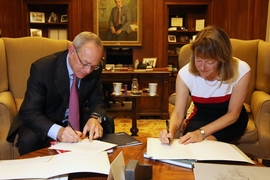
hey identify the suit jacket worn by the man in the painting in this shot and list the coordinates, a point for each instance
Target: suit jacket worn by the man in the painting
(125, 18)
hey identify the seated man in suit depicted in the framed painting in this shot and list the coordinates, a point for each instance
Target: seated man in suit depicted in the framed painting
(119, 22)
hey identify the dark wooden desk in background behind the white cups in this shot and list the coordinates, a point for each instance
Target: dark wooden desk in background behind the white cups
(148, 106)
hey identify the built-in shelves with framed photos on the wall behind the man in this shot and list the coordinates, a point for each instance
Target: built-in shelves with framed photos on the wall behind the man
(47, 18)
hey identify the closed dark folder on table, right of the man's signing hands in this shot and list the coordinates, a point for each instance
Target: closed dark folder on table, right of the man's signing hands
(121, 139)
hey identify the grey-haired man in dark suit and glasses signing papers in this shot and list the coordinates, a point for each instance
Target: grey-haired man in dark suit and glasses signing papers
(43, 115)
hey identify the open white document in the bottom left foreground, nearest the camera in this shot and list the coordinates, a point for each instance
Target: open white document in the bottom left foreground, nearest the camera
(50, 166)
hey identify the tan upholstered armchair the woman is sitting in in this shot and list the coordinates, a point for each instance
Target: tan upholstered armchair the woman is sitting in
(256, 140)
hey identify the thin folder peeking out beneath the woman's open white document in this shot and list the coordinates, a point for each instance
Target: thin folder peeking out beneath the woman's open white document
(187, 163)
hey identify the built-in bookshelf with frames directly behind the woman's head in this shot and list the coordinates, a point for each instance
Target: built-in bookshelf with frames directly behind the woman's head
(182, 28)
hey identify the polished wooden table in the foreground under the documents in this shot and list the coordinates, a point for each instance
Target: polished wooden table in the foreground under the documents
(161, 170)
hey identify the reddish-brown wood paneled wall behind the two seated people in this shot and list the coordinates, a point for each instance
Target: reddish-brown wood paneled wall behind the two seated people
(242, 19)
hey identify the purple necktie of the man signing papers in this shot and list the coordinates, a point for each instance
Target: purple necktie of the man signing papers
(74, 114)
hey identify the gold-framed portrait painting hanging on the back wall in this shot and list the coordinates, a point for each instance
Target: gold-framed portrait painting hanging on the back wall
(118, 26)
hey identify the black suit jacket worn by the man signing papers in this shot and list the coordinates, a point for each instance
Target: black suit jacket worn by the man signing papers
(47, 96)
